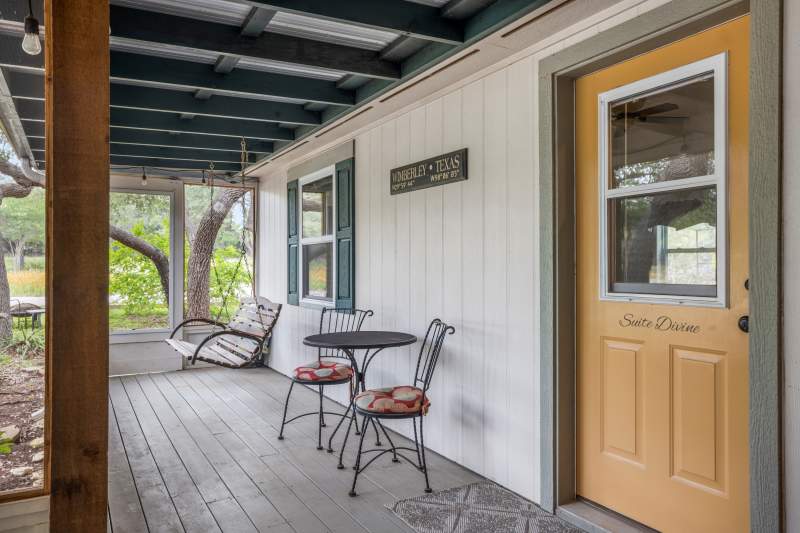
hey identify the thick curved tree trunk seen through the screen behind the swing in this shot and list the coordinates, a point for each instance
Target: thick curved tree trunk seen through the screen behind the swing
(202, 250)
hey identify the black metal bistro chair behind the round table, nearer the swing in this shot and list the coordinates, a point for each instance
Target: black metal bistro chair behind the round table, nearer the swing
(326, 370)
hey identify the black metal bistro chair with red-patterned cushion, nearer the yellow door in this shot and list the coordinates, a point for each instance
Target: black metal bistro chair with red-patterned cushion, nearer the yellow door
(410, 401)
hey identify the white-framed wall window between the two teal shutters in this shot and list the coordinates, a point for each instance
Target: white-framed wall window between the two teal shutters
(317, 243)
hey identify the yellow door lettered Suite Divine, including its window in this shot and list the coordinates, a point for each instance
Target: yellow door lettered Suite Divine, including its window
(662, 245)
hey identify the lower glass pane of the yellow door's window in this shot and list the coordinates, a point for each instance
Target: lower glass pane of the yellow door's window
(665, 243)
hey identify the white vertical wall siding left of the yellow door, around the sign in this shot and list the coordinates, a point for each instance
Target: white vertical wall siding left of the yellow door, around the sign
(463, 252)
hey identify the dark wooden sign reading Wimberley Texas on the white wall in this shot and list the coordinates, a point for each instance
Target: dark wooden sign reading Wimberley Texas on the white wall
(447, 168)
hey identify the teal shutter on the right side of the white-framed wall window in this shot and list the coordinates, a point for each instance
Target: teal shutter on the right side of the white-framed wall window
(345, 234)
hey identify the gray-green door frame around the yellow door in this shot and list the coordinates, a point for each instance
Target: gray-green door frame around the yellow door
(557, 74)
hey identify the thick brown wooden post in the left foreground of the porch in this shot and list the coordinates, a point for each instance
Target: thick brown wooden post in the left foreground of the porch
(77, 118)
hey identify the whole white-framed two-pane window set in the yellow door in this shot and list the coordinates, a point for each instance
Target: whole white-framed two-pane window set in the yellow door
(662, 174)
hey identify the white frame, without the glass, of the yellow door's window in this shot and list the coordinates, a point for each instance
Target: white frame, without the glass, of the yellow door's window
(716, 66)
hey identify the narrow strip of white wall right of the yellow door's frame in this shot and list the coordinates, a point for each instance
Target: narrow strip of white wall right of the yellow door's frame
(791, 240)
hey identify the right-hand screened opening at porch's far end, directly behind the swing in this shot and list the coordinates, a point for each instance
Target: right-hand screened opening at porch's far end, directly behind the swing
(220, 253)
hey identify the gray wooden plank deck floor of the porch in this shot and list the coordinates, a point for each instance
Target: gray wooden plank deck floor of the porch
(198, 451)
